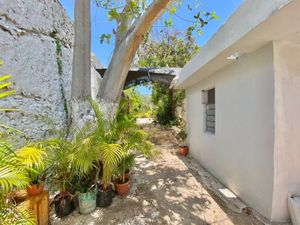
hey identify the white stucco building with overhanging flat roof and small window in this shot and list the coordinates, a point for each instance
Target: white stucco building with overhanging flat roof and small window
(243, 104)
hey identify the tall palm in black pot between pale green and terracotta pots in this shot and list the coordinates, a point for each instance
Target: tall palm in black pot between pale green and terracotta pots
(114, 138)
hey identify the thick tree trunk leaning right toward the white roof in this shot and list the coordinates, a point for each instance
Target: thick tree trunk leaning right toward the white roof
(115, 76)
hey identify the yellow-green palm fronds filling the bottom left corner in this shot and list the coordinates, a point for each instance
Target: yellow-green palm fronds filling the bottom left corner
(13, 177)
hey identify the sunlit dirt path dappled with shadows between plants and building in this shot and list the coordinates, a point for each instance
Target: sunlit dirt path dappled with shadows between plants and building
(163, 191)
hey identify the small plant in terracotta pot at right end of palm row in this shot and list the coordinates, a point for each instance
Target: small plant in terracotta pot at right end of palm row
(122, 181)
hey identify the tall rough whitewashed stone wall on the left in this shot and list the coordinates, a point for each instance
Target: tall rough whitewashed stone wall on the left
(36, 40)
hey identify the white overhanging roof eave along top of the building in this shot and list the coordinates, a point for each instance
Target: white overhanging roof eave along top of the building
(254, 24)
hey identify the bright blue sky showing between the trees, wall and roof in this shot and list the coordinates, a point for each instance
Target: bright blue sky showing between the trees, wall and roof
(100, 24)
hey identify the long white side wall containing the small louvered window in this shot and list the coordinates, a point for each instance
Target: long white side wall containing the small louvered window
(240, 153)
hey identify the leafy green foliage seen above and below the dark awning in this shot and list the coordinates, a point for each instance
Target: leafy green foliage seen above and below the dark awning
(174, 50)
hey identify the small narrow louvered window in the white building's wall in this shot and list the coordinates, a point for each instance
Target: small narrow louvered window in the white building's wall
(210, 117)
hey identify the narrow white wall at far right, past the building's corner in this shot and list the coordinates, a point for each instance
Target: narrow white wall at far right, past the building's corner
(287, 126)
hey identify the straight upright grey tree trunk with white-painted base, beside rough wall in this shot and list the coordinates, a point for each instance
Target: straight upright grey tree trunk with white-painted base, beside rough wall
(81, 72)
